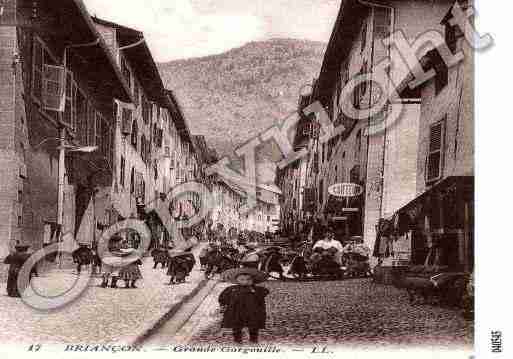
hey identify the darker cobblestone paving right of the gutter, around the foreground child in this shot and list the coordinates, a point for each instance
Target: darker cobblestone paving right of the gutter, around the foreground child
(350, 312)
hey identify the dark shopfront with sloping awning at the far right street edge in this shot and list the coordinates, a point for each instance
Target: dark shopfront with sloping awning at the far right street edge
(435, 228)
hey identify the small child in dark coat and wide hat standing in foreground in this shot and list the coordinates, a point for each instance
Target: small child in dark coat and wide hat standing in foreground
(243, 304)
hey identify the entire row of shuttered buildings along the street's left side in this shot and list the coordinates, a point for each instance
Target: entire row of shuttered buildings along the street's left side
(92, 83)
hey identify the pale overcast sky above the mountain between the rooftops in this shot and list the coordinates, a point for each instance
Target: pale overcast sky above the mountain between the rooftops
(177, 29)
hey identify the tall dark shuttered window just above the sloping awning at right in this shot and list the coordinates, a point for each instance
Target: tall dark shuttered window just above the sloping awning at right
(435, 153)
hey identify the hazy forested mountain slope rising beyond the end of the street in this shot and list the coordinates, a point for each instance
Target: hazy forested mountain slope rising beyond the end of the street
(233, 96)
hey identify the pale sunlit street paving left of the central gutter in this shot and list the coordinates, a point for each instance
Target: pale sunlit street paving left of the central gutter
(99, 315)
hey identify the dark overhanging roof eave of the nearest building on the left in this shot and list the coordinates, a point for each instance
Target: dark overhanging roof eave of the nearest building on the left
(77, 27)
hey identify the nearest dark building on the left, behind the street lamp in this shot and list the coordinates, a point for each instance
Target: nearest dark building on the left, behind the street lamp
(59, 80)
